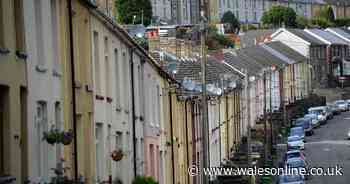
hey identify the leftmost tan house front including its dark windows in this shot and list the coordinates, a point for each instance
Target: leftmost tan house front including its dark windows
(13, 92)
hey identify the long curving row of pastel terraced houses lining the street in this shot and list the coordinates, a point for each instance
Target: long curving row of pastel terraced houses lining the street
(78, 95)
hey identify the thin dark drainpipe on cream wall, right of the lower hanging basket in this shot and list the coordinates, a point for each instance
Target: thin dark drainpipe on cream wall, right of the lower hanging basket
(131, 51)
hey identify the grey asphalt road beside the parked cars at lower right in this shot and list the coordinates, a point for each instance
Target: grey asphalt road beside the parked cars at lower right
(328, 147)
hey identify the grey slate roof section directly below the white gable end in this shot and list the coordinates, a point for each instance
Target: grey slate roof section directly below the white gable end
(286, 51)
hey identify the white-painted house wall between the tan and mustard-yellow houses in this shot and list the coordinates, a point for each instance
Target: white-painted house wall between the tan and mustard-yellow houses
(43, 86)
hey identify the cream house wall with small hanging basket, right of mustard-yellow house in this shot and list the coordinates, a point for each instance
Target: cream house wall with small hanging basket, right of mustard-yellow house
(116, 117)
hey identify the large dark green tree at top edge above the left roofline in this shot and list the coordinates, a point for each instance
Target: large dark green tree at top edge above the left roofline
(128, 9)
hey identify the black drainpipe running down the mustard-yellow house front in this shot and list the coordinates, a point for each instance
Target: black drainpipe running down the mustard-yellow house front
(71, 42)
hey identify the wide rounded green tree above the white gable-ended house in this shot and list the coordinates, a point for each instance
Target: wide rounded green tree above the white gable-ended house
(279, 15)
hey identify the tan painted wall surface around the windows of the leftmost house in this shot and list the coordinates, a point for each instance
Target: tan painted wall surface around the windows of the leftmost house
(13, 77)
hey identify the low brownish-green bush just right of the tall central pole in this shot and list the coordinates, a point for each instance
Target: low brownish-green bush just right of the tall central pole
(216, 41)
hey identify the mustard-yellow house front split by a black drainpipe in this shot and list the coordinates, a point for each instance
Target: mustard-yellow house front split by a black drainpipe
(83, 77)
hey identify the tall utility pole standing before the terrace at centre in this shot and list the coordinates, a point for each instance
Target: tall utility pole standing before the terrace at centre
(205, 128)
